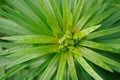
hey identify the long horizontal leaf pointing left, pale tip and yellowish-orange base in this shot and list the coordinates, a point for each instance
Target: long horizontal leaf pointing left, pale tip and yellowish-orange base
(31, 39)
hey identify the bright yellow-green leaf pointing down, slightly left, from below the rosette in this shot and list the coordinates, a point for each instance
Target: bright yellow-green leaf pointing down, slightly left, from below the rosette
(61, 67)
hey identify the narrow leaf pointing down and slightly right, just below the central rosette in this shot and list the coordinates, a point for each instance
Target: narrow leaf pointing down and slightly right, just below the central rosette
(71, 67)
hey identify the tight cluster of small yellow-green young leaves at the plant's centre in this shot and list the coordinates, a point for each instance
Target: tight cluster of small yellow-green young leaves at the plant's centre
(69, 42)
